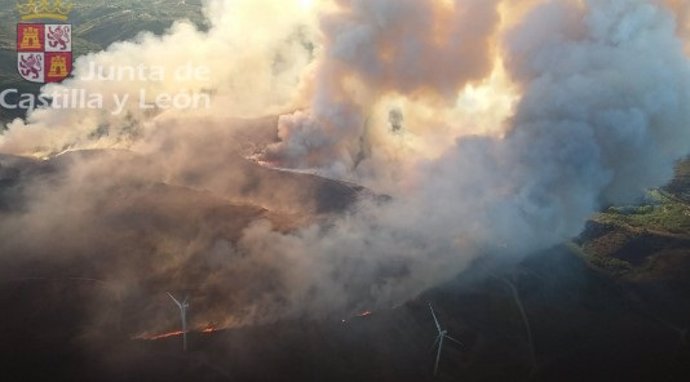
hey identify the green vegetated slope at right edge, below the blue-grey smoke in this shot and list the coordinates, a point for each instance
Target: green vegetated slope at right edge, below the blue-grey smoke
(645, 241)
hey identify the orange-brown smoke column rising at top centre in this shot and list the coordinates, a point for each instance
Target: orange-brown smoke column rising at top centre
(375, 47)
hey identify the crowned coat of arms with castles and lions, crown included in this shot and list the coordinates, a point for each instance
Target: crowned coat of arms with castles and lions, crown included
(44, 40)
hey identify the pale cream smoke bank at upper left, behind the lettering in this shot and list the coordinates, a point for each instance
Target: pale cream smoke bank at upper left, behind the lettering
(250, 75)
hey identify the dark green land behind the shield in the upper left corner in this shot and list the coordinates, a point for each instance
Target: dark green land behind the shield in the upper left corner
(97, 24)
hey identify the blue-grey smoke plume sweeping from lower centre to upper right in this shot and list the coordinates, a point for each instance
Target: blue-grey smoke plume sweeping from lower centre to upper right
(603, 117)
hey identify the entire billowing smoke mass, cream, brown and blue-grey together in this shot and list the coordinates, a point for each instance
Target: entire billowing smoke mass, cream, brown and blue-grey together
(600, 115)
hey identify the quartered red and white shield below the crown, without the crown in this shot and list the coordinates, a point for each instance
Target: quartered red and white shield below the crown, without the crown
(44, 52)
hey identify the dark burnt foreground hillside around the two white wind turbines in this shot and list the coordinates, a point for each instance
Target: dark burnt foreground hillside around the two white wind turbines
(610, 307)
